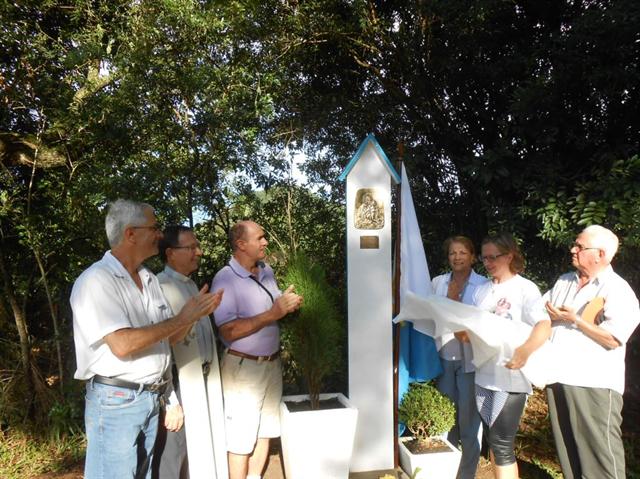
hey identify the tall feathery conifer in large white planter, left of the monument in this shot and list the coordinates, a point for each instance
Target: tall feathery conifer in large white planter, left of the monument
(317, 430)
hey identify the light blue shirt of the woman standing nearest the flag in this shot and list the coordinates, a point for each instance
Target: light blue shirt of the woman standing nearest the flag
(448, 346)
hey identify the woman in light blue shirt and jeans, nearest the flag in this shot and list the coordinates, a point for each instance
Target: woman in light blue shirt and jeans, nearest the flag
(457, 379)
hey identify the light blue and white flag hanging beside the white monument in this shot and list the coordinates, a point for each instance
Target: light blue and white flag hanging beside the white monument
(418, 358)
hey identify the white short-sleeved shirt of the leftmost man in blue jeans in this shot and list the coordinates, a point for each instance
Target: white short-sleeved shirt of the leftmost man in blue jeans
(104, 299)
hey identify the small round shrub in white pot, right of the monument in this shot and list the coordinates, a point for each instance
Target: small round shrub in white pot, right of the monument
(428, 414)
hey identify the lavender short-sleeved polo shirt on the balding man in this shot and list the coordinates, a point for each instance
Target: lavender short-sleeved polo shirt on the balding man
(244, 298)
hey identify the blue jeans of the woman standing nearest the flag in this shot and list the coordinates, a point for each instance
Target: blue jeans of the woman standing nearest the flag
(459, 386)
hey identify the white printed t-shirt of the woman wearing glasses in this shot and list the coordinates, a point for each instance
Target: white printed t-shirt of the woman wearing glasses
(519, 300)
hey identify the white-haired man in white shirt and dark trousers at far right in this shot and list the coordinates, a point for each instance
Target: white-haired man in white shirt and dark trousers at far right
(593, 312)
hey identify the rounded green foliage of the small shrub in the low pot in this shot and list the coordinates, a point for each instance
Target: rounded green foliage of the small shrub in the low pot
(426, 411)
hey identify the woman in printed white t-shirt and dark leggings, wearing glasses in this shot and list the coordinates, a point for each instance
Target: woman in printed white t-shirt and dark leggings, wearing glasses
(501, 388)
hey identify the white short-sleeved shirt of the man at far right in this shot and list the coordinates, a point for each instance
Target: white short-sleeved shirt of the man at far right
(582, 361)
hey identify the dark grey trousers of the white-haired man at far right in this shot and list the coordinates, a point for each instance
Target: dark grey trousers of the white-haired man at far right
(586, 428)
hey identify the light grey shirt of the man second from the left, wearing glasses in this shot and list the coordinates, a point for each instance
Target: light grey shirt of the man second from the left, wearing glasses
(178, 288)
